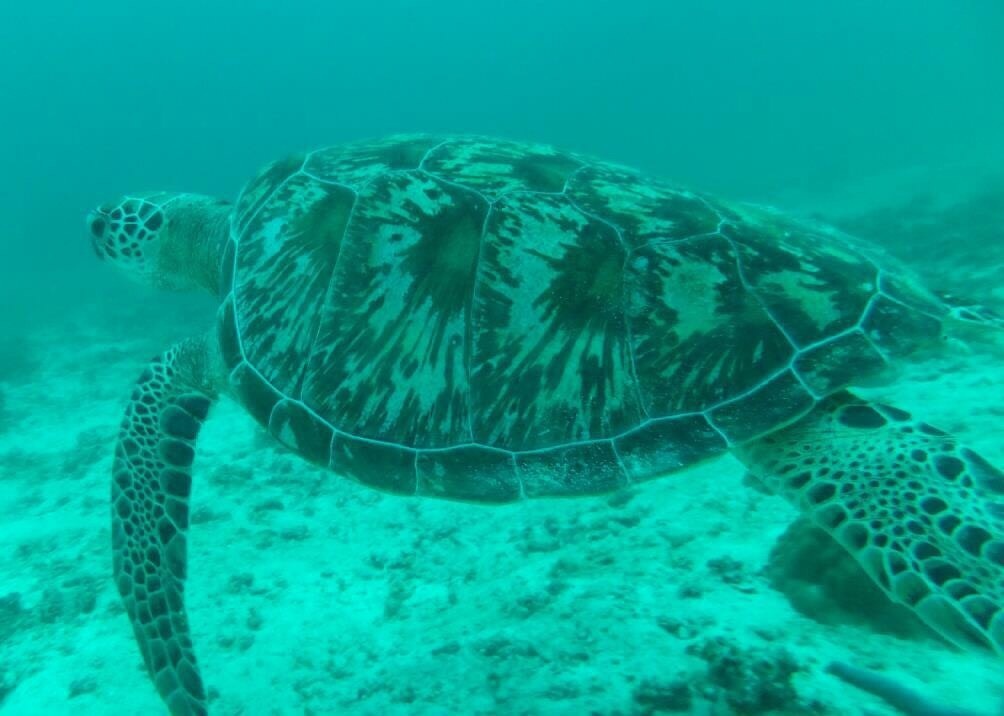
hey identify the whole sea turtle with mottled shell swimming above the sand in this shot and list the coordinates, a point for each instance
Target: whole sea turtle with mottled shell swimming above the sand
(486, 321)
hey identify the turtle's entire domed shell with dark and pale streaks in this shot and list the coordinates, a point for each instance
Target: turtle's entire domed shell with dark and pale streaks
(446, 305)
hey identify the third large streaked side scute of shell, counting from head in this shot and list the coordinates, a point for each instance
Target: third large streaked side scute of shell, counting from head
(551, 359)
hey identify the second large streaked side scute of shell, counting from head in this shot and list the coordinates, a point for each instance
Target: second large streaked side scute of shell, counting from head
(411, 253)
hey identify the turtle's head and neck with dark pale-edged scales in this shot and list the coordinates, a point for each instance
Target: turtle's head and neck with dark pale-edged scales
(172, 242)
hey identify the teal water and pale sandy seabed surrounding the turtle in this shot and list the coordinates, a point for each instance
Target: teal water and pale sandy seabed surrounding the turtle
(308, 594)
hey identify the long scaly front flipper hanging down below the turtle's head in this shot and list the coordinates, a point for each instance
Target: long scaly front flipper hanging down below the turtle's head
(150, 517)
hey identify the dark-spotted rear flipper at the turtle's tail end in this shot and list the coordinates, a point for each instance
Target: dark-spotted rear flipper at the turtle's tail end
(923, 515)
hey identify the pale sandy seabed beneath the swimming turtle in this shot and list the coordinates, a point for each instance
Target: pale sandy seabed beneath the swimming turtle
(312, 595)
